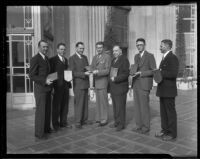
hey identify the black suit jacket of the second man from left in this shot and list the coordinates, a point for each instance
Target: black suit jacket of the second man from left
(58, 66)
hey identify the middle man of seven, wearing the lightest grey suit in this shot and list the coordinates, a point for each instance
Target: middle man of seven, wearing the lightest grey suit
(101, 68)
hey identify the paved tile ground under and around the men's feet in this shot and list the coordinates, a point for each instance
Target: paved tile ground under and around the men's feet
(94, 139)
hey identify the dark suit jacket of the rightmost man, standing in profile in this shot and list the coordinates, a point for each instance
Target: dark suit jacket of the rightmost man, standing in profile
(169, 71)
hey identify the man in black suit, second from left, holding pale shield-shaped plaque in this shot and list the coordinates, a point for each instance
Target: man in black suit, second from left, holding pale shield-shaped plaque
(61, 89)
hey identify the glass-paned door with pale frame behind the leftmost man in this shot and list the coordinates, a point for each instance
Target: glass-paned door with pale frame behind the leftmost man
(19, 85)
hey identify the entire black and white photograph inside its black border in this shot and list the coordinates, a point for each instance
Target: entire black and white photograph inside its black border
(101, 79)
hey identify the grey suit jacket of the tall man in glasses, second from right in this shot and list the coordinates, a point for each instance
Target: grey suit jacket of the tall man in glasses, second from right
(145, 64)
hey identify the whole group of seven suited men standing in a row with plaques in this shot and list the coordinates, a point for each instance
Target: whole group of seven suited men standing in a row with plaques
(117, 84)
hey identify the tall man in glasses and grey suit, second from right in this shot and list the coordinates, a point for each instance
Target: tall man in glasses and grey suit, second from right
(142, 85)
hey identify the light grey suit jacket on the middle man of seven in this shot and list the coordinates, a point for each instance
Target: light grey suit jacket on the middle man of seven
(101, 64)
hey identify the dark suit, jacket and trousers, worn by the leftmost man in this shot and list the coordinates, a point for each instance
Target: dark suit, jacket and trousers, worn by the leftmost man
(39, 69)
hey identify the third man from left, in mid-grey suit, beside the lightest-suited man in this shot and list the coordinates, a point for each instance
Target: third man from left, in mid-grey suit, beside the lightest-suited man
(77, 63)
